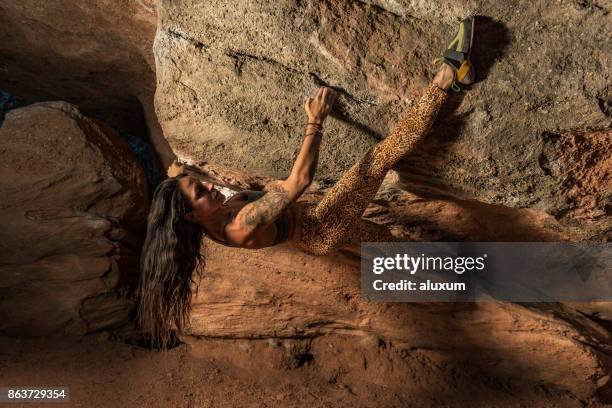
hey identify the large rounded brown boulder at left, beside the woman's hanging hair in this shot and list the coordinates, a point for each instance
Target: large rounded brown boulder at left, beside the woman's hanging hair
(73, 201)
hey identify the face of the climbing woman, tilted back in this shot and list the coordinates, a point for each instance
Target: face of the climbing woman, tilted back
(203, 198)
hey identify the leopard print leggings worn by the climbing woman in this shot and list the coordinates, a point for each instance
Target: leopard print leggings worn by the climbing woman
(336, 220)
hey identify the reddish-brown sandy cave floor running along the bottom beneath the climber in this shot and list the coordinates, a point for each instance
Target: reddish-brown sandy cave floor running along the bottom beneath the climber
(329, 371)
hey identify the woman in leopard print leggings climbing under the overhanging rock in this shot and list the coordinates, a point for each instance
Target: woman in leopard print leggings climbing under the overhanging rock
(184, 209)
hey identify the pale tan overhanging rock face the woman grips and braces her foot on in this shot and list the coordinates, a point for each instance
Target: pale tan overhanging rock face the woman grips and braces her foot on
(232, 78)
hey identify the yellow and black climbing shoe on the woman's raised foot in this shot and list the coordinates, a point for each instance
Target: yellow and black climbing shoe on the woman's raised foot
(457, 55)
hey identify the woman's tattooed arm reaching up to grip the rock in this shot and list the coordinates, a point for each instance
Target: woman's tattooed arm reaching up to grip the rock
(279, 196)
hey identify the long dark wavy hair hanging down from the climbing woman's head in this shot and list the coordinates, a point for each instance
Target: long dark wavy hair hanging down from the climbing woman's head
(169, 262)
